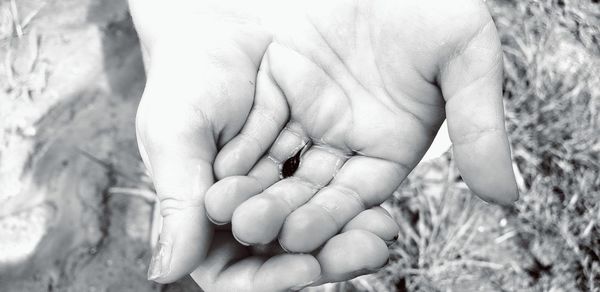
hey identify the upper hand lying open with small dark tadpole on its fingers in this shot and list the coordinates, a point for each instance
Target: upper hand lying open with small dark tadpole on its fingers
(367, 84)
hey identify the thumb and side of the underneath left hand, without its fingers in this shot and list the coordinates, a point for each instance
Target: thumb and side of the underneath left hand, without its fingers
(199, 89)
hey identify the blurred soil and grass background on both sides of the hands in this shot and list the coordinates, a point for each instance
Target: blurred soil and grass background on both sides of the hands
(76, 205)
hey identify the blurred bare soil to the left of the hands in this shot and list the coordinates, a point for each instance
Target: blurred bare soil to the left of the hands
(70, 85)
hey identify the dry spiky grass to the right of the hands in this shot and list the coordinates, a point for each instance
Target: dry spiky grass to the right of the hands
(550, 241)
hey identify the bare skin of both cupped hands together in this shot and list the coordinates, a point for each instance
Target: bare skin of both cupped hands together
(391, 72)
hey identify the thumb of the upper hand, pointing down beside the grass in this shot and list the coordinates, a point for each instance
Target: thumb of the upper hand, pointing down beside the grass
(471, 83)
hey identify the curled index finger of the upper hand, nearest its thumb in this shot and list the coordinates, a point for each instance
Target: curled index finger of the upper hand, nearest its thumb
(361, 183)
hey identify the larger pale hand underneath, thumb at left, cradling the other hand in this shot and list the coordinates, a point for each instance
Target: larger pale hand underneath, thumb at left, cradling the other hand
(201, 61)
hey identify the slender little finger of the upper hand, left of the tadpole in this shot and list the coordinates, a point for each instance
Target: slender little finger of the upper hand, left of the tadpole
(265, 121)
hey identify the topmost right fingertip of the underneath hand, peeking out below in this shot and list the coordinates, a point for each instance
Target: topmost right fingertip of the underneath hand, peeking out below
(376, 220)
